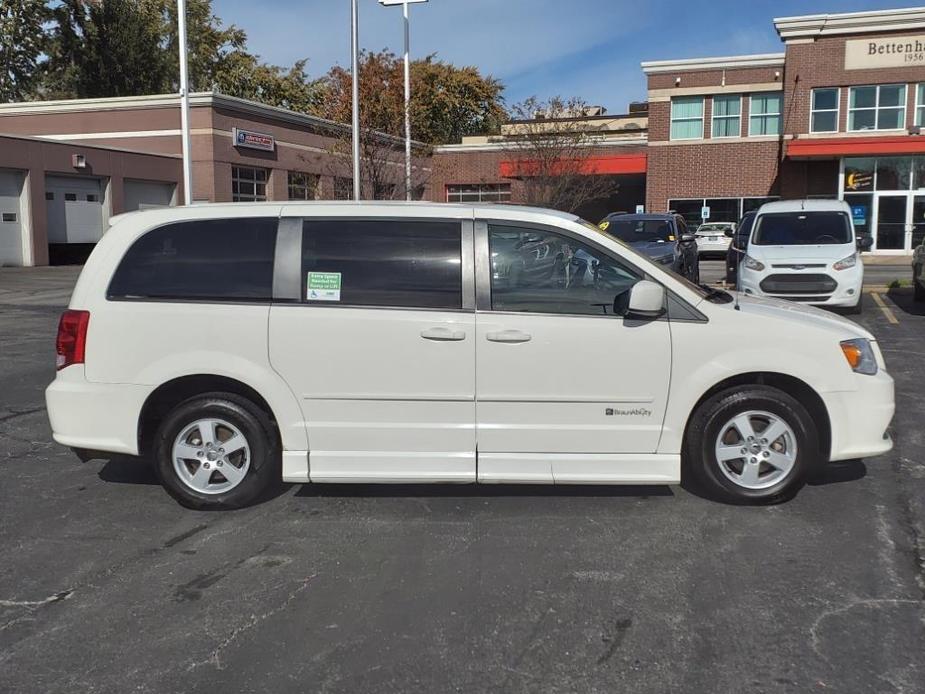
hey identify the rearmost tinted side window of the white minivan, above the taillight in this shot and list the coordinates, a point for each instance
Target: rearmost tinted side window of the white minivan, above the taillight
(202, 260)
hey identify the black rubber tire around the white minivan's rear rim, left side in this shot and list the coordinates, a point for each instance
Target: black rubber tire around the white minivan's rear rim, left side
(264, 473)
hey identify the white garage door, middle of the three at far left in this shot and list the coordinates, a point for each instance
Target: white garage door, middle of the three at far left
(75, 209)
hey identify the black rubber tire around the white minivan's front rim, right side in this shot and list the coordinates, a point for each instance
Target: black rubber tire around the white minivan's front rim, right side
(704, 429)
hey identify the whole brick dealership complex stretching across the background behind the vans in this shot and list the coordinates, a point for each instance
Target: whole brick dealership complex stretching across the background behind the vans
(838, 113)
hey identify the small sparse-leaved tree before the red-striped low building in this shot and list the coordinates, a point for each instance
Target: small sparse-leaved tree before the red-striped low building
(553, 152)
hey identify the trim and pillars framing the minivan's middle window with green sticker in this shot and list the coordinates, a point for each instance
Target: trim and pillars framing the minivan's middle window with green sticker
(290, 266)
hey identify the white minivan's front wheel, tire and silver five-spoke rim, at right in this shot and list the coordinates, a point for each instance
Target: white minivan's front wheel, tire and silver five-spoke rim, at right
(751, 445)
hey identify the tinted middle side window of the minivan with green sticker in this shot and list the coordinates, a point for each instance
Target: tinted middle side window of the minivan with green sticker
(413, 264)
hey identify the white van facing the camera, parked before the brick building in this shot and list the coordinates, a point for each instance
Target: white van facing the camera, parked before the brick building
(806, 251)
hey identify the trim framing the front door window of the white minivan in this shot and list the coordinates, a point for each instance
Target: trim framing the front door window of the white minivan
(483, 273)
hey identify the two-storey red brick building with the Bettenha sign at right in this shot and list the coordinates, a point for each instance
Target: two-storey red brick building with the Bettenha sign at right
(837, 114)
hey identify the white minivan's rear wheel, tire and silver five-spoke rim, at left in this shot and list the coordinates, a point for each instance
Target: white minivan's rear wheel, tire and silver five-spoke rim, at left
(217, 450)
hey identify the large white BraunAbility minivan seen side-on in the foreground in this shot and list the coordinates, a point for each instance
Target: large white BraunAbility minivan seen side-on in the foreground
(236, 345)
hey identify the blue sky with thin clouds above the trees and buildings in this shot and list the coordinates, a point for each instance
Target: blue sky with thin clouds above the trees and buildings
(585, 48)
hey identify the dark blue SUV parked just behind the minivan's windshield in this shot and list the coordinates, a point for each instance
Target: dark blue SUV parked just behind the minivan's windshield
(662, 237)
